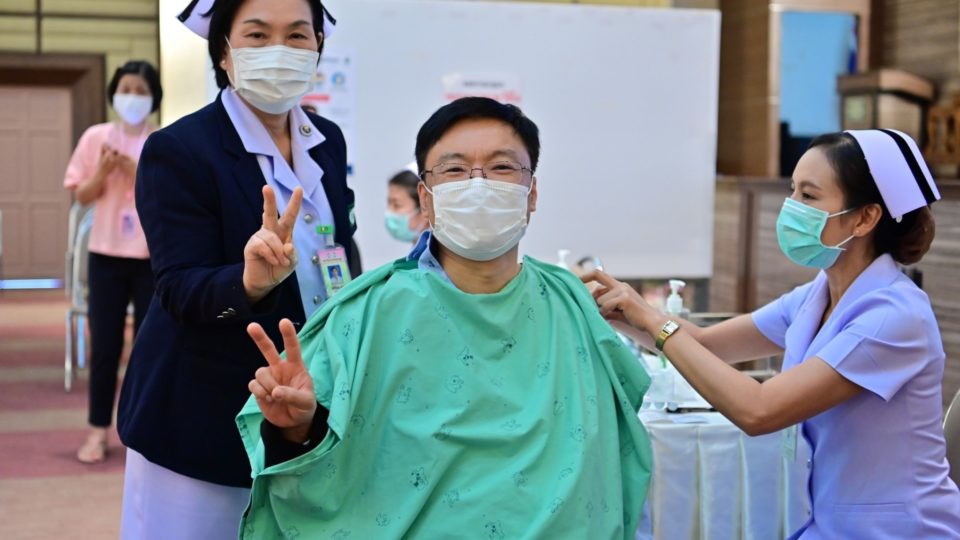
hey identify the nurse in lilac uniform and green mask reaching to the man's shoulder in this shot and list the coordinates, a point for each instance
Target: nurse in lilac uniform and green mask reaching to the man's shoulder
(863, 358)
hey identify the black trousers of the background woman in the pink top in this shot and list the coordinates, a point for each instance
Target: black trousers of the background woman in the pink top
(114, 282)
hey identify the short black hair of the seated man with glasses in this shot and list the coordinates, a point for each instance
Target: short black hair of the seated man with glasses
(470, 108)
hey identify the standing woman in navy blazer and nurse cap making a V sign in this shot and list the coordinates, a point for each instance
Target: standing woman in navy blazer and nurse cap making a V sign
(211, 226)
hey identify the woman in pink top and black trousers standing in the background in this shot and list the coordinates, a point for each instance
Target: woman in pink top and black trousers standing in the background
(102, 171)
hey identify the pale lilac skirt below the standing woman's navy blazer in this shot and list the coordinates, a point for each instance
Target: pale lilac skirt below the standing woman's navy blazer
(159, 504)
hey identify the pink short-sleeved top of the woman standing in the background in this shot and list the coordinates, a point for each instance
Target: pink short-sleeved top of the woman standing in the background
(116, 227)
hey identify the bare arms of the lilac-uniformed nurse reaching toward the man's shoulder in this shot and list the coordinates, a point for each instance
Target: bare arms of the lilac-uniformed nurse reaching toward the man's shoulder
(757, 408)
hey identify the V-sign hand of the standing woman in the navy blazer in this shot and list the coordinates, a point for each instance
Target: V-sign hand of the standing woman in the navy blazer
(269, 256)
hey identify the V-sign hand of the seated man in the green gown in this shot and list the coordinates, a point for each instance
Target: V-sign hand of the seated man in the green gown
(283, 389)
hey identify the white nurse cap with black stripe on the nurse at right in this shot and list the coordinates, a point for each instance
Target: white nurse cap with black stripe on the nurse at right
(898, 169)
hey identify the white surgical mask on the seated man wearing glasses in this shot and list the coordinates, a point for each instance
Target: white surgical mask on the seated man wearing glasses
(479, 219)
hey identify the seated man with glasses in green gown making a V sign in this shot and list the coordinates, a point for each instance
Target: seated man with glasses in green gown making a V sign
(456, 393)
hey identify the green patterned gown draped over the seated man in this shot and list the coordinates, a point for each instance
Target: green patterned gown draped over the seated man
(452, 415)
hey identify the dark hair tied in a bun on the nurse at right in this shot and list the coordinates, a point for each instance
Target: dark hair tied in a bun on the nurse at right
(906, 241)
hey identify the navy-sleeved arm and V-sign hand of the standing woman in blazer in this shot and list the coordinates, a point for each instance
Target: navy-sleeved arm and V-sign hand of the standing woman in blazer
(180, 212)
